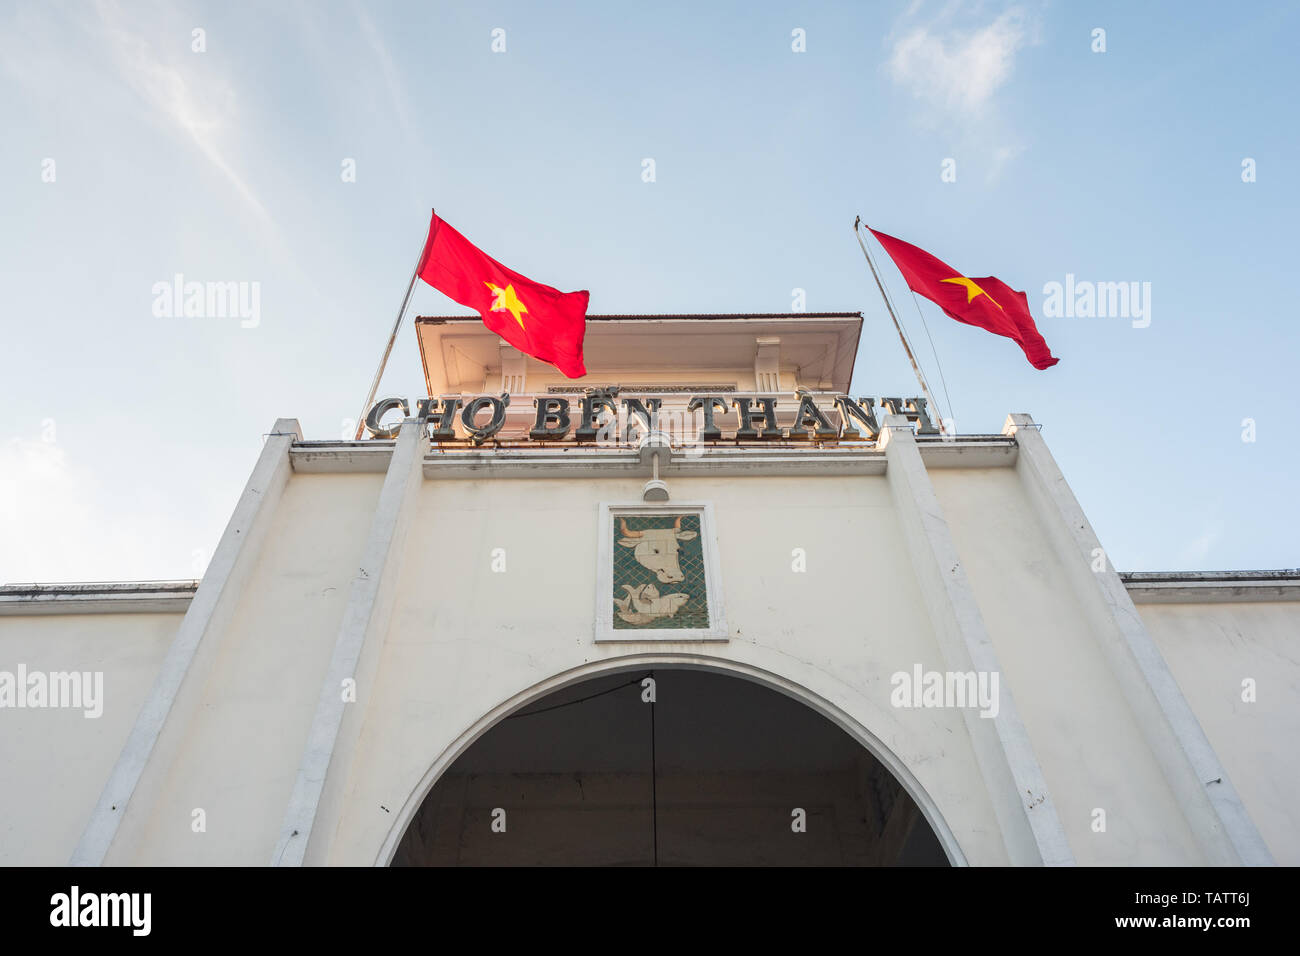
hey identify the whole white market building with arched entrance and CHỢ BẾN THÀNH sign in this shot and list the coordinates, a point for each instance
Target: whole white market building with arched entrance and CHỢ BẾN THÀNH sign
(861, 648)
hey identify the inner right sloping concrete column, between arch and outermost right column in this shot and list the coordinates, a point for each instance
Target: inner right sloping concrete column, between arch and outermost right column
(1030, 825)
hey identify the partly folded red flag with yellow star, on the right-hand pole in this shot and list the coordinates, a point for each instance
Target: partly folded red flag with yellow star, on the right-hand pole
(989, 304)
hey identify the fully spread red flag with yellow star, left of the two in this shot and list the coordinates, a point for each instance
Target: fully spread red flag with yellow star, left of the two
(536, 319)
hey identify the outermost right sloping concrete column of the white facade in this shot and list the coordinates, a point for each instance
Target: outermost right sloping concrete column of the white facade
(1227, 833)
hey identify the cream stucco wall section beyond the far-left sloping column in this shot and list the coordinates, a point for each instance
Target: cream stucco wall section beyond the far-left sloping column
(55, 762)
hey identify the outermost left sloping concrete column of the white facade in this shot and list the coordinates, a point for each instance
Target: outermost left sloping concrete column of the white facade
(151, 745)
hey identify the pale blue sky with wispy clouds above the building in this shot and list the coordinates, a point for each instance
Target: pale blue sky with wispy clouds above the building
(298, 148)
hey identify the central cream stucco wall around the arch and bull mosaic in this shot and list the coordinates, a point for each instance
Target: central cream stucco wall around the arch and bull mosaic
(466, 641)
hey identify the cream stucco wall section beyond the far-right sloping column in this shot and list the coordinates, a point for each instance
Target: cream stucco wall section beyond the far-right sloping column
(1212, 650)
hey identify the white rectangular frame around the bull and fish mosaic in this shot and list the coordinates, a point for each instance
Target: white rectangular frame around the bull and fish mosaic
(605, 630)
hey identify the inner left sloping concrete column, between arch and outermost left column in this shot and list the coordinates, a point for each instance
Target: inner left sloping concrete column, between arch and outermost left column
(327, 760)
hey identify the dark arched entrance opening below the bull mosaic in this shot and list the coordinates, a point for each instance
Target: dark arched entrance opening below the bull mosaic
(717, 771)
